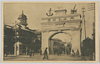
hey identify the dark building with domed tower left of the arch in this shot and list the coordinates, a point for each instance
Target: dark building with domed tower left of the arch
(18, 39)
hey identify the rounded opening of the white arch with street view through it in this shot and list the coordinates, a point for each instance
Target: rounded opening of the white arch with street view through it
(58, 43)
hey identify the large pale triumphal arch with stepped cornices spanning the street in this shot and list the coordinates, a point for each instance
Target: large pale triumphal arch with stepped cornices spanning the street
(61, 22)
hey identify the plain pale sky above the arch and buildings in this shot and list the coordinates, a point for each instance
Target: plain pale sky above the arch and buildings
(36, 11)
